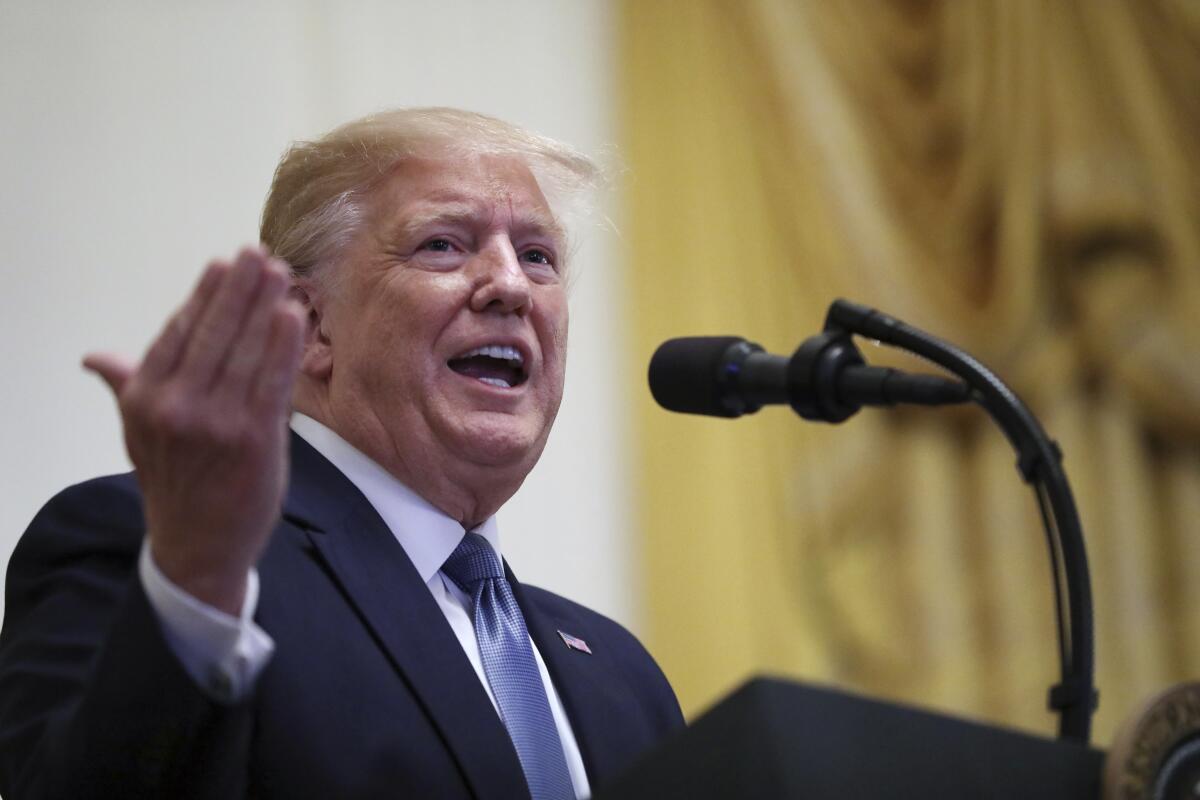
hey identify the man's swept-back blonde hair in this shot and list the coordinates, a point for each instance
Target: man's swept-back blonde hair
(316, 202)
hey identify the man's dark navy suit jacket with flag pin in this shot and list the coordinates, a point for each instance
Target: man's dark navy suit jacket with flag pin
(369, 693)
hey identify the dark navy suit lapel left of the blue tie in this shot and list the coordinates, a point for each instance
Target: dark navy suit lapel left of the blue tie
(398, 609)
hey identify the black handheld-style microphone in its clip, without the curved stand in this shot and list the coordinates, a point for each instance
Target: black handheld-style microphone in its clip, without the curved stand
(825, 380)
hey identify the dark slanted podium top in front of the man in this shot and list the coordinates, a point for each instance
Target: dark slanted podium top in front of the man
(779, 739)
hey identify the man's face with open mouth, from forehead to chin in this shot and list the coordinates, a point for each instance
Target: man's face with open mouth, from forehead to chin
(448, 321)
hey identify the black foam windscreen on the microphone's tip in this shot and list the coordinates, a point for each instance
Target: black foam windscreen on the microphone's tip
(686, 375)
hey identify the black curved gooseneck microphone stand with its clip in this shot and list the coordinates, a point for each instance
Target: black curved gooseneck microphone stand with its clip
(1040, 462)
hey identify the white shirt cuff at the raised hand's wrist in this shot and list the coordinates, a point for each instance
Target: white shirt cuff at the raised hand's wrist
(224, 654)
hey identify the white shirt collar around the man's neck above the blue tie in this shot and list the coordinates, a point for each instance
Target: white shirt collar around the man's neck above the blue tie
(428, 536)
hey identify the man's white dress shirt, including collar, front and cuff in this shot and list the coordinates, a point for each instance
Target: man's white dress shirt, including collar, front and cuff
(225, 654)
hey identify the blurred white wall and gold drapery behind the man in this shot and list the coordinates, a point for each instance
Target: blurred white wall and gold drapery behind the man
(1019, 177)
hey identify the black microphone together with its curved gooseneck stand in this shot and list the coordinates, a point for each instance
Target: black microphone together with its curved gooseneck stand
(827, 381)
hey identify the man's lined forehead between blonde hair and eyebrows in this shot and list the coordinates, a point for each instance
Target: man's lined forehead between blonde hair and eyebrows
(487, 188)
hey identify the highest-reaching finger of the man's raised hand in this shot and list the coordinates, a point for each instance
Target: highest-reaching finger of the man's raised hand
(223, 318)
